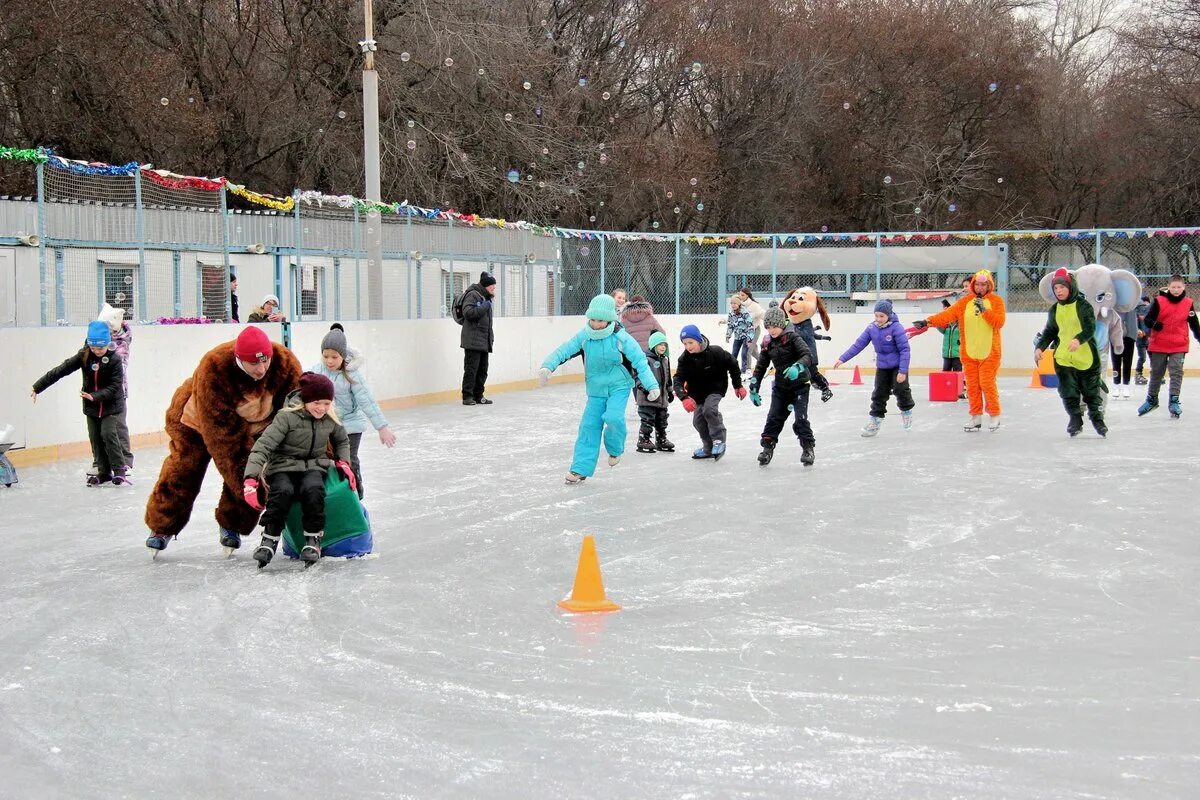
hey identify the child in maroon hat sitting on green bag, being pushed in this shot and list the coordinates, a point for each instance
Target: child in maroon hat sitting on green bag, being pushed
(291, 460)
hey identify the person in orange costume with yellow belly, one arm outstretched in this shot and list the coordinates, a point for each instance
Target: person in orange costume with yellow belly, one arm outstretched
(980, 342)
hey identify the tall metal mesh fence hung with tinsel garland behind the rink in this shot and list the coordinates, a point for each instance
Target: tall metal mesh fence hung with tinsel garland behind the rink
(167, 254)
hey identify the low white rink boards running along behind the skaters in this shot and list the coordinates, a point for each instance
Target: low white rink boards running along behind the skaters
(406, 359)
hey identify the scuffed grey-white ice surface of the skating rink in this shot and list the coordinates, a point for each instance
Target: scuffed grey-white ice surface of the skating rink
(927, 615)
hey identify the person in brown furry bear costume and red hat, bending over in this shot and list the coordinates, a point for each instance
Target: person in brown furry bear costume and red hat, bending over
(218, 416)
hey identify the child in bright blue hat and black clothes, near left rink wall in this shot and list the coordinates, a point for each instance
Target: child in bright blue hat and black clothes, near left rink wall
(104, 401)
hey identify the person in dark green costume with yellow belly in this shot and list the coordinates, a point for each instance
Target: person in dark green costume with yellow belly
(1071, 330)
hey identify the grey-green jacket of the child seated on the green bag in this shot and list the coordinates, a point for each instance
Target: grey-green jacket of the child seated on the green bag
(297, 443)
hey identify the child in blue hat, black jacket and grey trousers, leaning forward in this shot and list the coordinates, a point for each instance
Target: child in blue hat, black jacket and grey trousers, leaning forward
(703, 377)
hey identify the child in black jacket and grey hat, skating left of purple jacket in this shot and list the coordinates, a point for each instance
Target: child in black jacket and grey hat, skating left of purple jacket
(787, 350)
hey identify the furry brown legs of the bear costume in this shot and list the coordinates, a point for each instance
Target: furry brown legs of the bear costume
(171, 503)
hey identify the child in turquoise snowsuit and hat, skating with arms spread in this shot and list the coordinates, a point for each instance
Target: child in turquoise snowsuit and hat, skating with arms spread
(609, 354)
